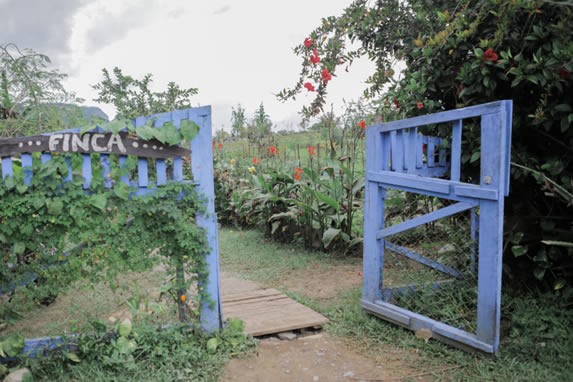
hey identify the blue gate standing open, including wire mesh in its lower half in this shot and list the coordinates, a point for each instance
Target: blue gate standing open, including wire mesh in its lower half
(400, 161)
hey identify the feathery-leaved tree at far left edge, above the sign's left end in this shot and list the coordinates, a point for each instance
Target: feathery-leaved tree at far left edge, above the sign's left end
(31, 94)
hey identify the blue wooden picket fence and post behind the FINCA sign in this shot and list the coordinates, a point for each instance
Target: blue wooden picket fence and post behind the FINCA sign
(201, 173)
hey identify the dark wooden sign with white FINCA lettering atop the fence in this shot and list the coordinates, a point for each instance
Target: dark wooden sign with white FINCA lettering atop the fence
(102, 143)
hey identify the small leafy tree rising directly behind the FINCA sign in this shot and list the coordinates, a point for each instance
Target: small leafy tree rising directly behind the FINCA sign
(133, 97)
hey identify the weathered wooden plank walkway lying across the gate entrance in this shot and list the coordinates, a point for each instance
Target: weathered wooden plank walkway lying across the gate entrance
(268, 311)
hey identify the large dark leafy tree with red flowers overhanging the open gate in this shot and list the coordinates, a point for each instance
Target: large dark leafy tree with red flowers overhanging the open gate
(464, 52)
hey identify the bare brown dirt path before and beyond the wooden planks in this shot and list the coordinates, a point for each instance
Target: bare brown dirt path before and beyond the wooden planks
(319, 357)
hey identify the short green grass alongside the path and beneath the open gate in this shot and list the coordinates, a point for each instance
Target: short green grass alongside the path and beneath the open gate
(537, 344)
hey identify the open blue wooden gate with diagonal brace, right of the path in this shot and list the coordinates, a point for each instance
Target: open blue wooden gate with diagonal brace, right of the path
(398, 157)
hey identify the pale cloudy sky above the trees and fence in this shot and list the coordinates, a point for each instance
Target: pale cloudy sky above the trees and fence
(234, 52)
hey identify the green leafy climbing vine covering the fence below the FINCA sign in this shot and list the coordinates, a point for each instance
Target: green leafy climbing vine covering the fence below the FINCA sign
(53, 232)
